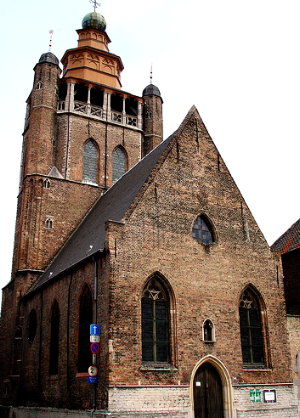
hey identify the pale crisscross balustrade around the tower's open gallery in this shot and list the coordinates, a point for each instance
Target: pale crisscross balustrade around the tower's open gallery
(98, 112)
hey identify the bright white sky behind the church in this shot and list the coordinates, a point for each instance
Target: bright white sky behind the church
(236, 60)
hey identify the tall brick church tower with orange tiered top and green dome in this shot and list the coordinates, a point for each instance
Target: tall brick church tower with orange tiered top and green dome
(82, 133)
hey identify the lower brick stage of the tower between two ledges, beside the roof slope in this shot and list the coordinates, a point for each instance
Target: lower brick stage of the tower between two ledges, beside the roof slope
(63, 202)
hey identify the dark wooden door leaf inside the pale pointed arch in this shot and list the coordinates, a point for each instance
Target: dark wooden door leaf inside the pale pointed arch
(208, 393)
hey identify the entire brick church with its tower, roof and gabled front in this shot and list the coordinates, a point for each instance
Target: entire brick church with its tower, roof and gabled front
(149, 240)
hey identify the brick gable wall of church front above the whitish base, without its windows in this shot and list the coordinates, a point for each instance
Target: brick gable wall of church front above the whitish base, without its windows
(207, 281)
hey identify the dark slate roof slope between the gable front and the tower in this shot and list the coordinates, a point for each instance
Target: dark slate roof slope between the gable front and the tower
(89, 237)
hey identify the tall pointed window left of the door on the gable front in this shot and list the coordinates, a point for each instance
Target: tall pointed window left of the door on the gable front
(155, 323)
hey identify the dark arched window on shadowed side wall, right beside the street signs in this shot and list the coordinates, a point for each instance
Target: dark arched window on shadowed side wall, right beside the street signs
(85, 319)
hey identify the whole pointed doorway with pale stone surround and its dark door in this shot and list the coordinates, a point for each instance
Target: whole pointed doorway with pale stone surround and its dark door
(211, 389)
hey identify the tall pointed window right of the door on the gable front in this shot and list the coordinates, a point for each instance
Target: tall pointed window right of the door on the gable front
(252, 339)
